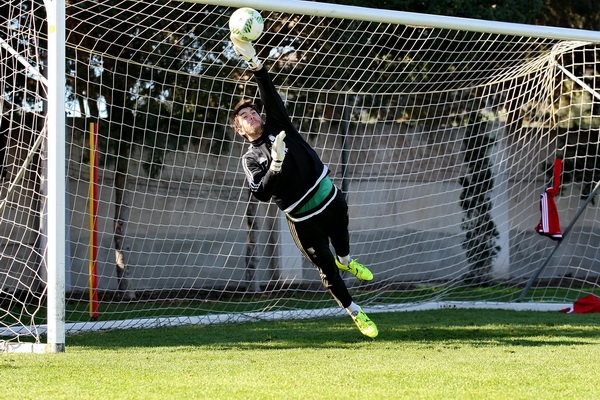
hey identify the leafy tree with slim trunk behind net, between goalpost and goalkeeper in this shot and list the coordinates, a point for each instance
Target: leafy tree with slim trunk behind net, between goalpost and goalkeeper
(156, 96)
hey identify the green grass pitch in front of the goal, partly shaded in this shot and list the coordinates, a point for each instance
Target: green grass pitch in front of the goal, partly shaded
(441, 354)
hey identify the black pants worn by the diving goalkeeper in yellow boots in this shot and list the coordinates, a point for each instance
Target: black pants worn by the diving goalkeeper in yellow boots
(313, 236)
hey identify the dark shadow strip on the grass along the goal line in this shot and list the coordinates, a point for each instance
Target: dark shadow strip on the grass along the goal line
(448, 327)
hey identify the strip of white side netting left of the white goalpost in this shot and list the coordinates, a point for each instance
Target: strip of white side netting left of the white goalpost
(22, 272)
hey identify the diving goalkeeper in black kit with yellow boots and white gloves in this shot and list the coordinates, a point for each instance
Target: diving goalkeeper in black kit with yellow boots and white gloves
(280, 165)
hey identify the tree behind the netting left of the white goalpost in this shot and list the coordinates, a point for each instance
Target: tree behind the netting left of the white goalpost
(22, 69)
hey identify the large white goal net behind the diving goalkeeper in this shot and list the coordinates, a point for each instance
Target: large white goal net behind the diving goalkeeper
(444, 135)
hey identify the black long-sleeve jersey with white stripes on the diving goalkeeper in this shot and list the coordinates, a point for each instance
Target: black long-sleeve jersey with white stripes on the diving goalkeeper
(302, 170)
